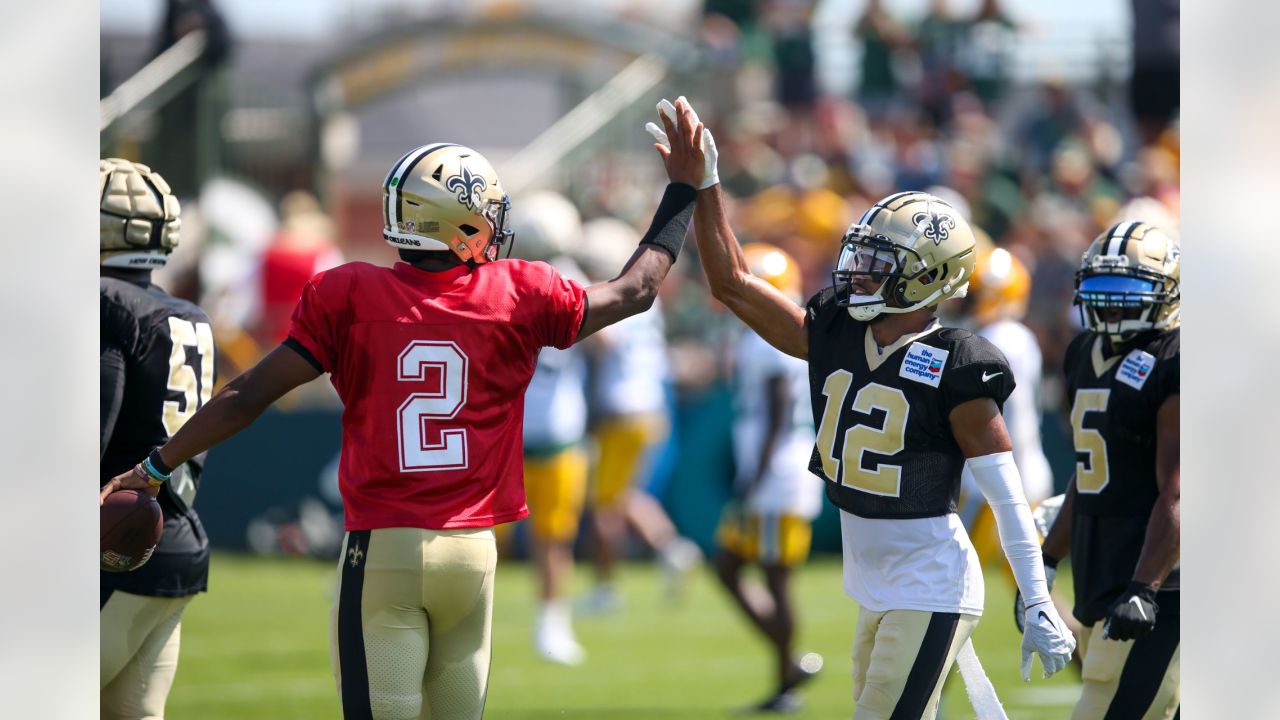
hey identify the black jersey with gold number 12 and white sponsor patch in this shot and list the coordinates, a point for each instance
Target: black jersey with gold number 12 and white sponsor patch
(885, 443)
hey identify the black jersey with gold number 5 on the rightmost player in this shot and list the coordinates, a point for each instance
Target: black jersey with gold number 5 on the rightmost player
(1114, 404)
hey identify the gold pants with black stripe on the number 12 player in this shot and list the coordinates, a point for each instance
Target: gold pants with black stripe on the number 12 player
(900, 660)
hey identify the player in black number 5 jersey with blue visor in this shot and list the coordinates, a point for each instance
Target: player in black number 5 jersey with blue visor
(1121, 521)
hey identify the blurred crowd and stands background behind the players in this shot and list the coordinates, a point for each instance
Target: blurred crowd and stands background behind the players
(276, 122)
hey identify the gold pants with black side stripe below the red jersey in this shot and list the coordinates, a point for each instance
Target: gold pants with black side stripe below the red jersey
(410, 635)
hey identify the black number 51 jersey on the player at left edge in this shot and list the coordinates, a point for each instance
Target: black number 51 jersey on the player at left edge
(157, 362)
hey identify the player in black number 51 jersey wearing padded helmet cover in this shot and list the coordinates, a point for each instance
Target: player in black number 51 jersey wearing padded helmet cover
(157, 358)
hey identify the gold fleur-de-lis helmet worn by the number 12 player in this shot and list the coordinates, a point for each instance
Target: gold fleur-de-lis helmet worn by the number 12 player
(916, 249)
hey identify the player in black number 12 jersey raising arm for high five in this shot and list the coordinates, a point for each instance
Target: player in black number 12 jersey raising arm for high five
(900, 405)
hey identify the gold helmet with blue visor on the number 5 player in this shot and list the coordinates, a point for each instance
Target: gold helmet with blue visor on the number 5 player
(1128, 281)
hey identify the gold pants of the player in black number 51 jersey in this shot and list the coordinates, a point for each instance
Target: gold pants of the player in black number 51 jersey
(139, 654)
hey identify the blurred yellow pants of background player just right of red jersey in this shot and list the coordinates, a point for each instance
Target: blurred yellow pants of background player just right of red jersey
(556, 487)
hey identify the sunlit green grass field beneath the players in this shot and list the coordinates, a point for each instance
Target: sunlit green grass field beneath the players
(257, 648)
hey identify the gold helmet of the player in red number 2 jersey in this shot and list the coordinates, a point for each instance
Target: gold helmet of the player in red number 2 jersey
(446, 197)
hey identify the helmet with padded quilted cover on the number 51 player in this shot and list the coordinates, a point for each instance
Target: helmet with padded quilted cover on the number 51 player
(138, 216)
